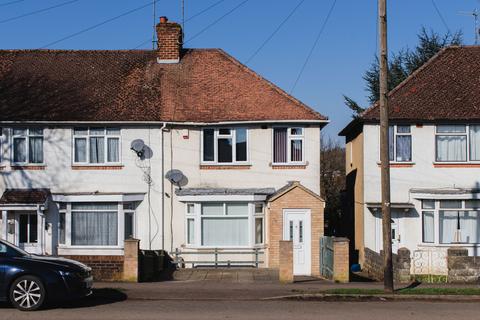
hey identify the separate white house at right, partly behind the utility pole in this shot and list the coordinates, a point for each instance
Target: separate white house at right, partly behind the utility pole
(434, 150)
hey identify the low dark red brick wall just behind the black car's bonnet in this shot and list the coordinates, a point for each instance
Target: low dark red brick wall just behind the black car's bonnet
(104, 268)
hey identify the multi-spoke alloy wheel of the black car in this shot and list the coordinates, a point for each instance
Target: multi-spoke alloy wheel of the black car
(27, 293)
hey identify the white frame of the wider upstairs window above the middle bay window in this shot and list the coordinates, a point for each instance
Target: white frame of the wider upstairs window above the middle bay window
(216, 137)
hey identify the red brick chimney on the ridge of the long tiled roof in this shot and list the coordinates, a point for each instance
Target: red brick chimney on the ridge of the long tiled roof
(169, 35)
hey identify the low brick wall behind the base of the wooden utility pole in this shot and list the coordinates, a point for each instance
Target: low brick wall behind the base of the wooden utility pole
(373, 265)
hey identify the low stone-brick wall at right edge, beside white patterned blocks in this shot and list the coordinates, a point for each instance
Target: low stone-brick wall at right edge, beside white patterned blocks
(461, 267)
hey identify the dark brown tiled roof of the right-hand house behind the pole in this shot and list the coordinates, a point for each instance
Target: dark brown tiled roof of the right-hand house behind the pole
(446, 88)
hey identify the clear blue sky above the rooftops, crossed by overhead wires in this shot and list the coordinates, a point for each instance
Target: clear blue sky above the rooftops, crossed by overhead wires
(344, 51)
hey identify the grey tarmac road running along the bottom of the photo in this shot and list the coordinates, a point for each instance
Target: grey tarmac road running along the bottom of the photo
(254, 309)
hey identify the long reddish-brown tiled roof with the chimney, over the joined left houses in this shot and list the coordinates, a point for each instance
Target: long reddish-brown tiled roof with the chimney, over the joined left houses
(206, 86)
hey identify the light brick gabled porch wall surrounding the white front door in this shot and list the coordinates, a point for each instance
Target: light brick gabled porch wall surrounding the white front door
(295, 199)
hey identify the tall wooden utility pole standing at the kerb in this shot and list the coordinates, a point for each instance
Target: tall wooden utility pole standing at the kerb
(384, 150)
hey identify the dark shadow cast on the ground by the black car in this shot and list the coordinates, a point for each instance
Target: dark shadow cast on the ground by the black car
(98, 297)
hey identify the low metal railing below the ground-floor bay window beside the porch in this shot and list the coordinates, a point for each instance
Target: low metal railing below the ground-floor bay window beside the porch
(179, 258)
